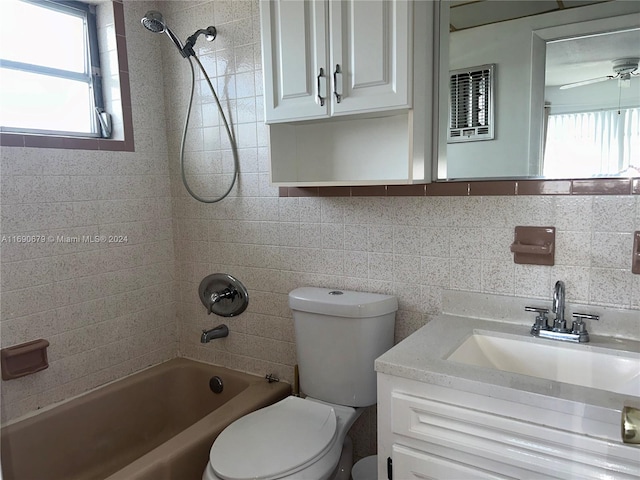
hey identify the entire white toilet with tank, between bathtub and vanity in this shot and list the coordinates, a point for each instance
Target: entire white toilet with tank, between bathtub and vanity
(339, 334)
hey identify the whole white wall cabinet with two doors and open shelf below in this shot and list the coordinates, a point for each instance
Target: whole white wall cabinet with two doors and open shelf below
(348, 90)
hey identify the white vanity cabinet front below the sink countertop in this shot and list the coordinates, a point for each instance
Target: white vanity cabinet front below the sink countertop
(431, 431)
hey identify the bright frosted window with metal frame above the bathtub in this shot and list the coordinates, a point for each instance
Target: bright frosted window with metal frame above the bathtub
(50, 70)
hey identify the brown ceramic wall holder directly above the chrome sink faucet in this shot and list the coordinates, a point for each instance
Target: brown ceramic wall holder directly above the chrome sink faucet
(534, 245)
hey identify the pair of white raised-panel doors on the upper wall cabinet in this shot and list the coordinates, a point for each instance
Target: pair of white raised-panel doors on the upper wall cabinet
(329, 58)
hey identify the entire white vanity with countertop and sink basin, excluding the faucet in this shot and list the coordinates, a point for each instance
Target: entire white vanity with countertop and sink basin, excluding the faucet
(469, 396)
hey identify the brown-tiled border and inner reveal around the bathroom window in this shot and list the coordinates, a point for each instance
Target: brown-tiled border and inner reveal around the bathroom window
(124, 140)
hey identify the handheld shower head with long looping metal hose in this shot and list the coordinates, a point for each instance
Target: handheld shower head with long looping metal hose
(154, 22)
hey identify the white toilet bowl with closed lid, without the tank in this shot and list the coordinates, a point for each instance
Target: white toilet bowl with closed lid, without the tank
(292, 439)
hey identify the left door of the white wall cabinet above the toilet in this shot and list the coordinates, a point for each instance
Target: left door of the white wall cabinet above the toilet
(294, 54)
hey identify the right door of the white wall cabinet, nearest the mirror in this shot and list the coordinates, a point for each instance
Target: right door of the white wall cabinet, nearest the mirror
(370, 52)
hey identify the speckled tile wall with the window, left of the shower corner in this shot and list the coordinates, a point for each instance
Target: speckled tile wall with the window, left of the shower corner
(107, 309)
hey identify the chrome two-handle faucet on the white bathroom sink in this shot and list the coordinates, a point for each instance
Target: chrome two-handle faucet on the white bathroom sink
(577, 333)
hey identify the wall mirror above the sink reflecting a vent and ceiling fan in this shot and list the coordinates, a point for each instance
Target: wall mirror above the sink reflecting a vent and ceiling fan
(556, 81)
